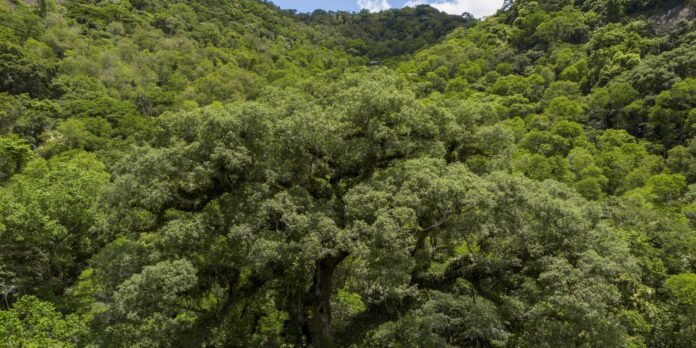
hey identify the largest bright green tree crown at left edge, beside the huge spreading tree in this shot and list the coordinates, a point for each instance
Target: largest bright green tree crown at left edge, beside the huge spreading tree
(46, 225)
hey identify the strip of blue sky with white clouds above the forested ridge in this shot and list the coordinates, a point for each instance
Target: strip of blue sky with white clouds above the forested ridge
(478, 8)
